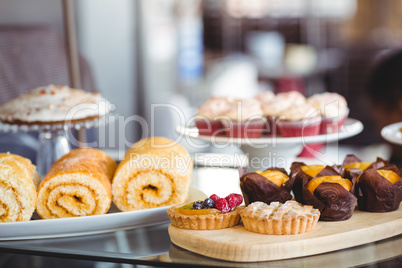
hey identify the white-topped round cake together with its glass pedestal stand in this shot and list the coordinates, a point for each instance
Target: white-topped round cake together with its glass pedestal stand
(53, 111)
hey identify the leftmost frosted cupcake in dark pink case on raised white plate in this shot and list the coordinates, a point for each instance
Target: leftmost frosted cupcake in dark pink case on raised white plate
(208, 119)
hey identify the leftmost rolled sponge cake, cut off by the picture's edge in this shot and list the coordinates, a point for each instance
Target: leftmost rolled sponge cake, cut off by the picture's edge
(18, 181)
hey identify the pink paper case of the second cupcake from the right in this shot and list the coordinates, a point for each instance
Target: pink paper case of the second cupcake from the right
(299, 128)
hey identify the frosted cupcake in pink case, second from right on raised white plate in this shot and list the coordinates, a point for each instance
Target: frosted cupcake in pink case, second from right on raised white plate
(299, 120)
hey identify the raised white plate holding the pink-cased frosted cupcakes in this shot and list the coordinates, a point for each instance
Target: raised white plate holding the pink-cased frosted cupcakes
(351, 128)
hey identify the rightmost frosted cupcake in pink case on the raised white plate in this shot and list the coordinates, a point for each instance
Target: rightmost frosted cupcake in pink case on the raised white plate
(333, 110)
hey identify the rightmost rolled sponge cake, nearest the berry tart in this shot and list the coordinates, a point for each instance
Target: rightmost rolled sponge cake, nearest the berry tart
(155, 172)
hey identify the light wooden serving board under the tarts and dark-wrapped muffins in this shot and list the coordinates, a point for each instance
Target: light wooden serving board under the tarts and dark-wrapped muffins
(238, 244)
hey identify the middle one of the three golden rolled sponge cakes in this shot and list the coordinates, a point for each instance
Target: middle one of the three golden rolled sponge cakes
(78, 184)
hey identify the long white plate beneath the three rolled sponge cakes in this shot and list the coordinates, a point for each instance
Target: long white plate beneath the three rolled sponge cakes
(112, 221)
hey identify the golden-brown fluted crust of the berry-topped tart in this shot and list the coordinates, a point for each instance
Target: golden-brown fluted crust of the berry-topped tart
(203, 222)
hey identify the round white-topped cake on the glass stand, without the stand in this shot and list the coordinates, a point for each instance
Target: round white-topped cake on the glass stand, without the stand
(54, 104)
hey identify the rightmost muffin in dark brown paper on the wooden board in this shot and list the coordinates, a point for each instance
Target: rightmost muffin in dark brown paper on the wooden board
(379, 189)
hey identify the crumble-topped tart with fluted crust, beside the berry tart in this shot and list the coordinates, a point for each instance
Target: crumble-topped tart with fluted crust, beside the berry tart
(279, 219)
